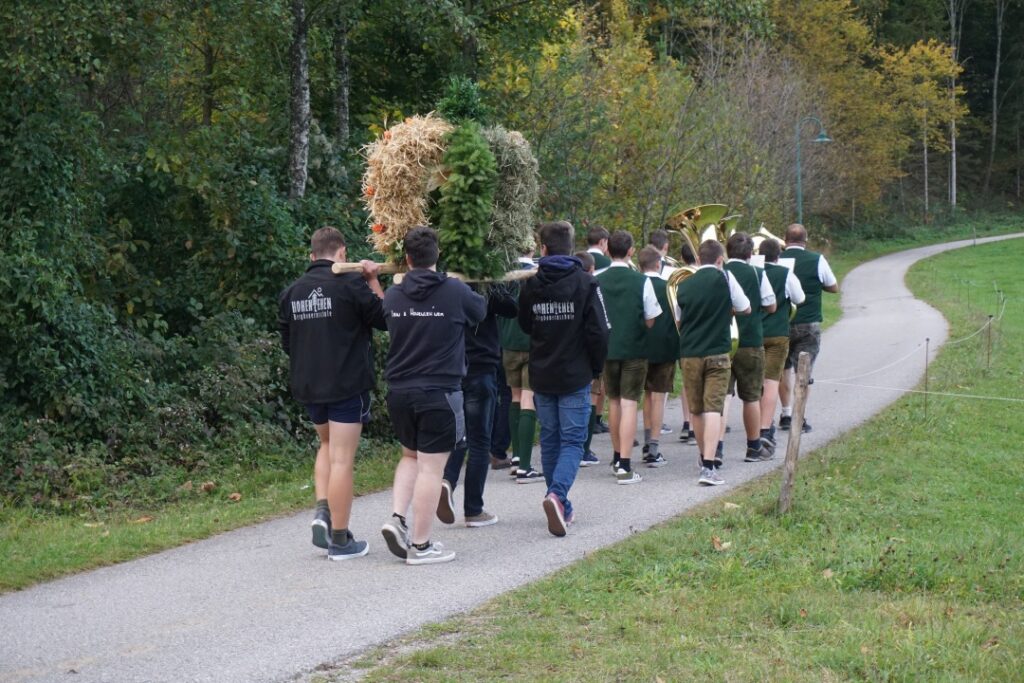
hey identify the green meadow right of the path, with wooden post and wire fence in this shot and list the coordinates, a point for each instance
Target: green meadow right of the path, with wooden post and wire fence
(903, 560)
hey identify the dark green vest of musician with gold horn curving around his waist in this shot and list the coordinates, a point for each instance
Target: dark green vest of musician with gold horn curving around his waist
(707, 307)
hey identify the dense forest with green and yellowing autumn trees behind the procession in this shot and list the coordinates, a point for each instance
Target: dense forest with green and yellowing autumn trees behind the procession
(165, 162)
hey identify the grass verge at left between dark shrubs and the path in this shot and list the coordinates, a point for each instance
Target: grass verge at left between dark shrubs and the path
(36, 545)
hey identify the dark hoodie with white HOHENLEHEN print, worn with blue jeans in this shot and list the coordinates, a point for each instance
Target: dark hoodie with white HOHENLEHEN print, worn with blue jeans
(563, 312)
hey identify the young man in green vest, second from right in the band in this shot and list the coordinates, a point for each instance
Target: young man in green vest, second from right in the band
(777, 331)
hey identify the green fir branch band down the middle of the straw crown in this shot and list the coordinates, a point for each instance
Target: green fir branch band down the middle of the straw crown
(466, 204)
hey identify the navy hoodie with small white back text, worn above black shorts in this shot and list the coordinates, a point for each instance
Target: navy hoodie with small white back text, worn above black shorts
(428, 316)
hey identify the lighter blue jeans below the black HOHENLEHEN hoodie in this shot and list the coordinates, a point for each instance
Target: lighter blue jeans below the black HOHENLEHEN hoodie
(564, 421)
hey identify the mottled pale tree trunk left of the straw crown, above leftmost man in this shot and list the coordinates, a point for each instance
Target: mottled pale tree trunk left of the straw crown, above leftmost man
(298, 147)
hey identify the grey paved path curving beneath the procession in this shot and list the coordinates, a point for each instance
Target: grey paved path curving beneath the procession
(260, 605)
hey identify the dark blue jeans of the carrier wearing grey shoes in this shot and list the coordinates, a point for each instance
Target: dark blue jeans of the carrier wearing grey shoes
(480, 401)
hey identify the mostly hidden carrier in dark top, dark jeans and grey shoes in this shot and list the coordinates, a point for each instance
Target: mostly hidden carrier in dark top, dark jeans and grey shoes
(480, 391)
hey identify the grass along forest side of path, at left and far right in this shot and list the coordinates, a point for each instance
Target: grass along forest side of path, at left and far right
(38, 545)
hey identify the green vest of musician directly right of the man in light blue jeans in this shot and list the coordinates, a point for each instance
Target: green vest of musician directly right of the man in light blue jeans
(623, 292)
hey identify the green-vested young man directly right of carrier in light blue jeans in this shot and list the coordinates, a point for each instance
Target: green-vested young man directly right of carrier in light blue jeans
(632, 308)
